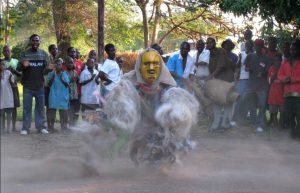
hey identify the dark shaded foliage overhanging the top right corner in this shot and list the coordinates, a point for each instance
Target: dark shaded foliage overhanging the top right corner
(281, 17)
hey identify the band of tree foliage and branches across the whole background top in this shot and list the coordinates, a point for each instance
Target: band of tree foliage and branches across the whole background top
(134, 24)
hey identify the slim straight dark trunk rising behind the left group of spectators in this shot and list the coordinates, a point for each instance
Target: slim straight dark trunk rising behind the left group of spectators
(101, 9)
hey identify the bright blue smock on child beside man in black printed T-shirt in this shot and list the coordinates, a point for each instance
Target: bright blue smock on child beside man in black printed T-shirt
(59, 97)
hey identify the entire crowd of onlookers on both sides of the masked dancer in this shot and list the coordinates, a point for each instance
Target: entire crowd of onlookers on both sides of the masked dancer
(266, 78)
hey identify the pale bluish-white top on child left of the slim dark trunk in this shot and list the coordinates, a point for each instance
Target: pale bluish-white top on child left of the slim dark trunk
(90, 90)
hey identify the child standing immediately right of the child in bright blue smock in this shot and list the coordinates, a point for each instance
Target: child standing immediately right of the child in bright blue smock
(74, 99)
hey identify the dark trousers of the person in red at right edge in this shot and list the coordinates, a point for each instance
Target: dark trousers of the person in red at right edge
(292, 115)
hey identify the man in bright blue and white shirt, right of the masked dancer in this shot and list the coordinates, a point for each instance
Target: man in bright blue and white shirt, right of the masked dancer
(181, 64)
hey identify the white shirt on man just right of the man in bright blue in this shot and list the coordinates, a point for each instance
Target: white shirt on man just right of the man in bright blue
(202, 71)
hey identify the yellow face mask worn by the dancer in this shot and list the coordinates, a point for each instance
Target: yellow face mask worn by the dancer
(150, 67)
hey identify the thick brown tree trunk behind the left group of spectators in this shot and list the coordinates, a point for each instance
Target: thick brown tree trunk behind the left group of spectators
(61, 26)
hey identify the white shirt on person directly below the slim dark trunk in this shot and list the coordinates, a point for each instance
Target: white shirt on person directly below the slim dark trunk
(111, 68)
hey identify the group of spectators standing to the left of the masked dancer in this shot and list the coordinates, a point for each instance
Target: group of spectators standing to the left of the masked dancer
(68, 85)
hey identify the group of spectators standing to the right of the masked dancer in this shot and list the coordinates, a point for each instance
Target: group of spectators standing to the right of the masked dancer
(267, 78)
